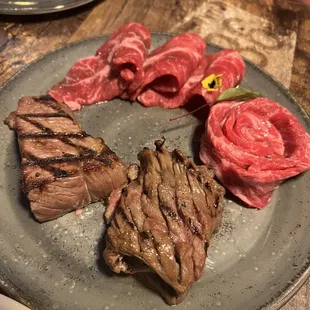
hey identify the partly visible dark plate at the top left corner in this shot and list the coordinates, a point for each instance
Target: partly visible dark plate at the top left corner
(38, 6)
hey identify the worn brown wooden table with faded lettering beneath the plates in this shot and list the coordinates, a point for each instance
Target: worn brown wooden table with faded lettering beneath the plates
(275, 34)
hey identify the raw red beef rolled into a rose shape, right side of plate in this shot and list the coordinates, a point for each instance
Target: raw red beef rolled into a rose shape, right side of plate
(254, 146)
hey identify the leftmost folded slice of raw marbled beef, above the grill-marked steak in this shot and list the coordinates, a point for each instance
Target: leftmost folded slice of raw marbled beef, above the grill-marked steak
(117, 66)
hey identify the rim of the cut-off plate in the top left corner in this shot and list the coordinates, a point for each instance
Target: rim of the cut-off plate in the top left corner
(31, 10)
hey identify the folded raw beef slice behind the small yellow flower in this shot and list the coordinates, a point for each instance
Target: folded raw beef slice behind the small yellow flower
(230, 64)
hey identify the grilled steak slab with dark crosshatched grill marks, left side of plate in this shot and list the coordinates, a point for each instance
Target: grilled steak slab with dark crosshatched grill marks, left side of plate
(63, 168)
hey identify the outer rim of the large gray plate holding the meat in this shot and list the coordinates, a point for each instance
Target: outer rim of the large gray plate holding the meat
(278, 300)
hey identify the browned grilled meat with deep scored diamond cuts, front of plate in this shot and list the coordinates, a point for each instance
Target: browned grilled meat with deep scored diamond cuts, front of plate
(163, 222)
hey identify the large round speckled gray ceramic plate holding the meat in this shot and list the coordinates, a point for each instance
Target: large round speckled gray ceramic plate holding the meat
(258, 259)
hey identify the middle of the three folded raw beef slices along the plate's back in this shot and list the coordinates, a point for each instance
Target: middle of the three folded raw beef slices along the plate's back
(169, 67)
